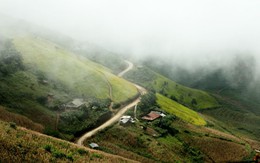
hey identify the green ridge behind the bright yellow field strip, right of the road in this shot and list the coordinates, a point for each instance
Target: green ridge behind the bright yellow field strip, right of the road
(192, 98)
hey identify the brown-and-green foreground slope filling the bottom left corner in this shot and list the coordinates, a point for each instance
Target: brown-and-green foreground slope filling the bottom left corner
(22, 145)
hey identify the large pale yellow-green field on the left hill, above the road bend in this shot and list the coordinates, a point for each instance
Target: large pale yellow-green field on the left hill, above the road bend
(78, 74)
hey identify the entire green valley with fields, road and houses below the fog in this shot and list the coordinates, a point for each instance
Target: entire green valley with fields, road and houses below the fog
(57, 97)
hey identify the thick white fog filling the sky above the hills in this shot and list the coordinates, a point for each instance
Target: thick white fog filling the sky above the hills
(193, 34)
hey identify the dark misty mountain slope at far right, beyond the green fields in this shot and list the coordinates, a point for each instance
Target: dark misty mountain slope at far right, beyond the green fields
(235, 86)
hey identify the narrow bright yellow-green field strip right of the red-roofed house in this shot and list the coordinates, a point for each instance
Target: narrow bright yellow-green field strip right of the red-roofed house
(179, 110)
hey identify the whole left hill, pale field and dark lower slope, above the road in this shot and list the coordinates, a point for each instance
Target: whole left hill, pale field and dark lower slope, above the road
(37, 77)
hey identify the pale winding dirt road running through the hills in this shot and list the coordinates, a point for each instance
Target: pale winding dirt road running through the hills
(117, 116)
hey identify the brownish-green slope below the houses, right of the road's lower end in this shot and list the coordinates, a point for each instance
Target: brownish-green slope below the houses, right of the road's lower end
(147, 143)
